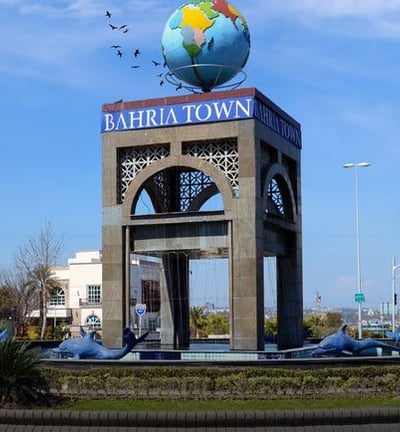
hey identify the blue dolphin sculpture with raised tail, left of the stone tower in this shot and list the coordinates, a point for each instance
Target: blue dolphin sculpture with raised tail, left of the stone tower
(87, 348)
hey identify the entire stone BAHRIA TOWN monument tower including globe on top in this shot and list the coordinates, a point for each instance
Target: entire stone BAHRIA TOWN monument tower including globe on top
(183, 150)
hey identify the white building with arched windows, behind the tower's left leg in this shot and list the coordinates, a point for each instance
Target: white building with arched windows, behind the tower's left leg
(78, 301)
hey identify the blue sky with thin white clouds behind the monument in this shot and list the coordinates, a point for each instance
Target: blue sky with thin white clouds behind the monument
(332, 65)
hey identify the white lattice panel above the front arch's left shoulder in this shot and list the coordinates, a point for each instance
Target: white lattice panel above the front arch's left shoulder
(132, 160)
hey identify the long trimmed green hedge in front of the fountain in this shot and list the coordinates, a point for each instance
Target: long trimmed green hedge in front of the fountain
(162, 382)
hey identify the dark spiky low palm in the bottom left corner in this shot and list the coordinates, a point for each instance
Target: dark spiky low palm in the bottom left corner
(22, 382)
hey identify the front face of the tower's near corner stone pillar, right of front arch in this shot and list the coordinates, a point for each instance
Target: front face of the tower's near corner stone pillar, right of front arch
(247, 291)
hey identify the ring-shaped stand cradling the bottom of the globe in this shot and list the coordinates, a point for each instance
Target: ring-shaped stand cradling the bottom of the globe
(172, 77)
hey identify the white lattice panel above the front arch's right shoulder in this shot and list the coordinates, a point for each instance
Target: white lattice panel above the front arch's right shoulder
(222, 153)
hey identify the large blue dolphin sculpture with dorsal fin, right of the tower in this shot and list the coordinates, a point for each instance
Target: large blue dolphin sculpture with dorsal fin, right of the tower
(339, 344)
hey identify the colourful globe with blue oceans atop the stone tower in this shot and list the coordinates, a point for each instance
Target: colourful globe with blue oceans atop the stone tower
(205, 44)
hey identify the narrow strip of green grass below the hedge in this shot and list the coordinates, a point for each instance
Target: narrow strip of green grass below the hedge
(202, 405)
